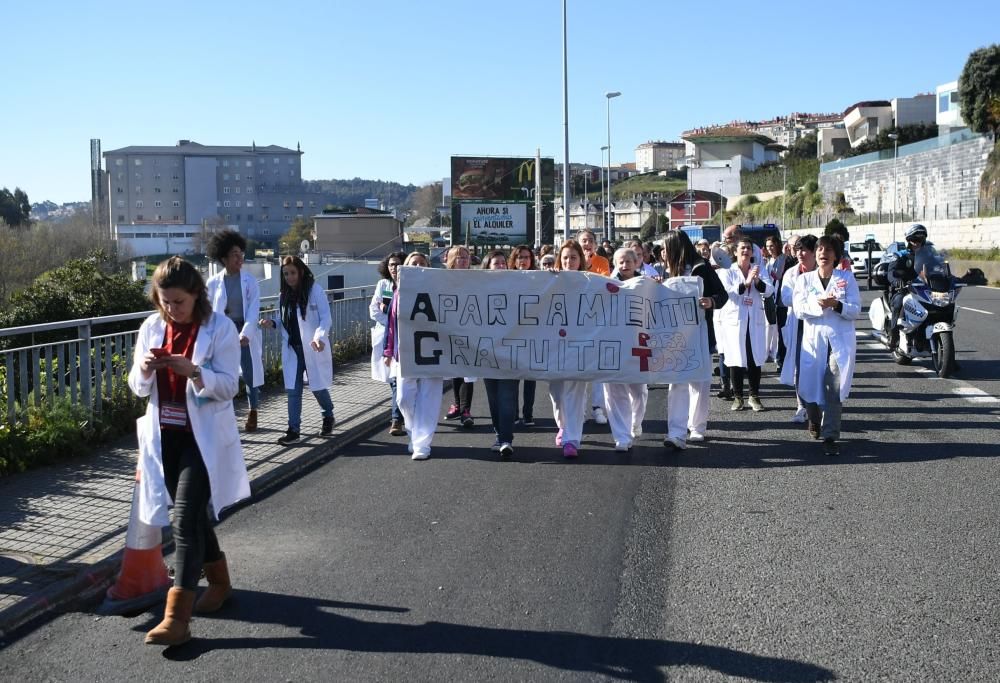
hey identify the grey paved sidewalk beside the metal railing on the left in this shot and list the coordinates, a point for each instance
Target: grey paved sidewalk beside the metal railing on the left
(62, 528)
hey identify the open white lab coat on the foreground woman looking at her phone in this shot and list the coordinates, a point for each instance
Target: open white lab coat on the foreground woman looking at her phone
(210, 411)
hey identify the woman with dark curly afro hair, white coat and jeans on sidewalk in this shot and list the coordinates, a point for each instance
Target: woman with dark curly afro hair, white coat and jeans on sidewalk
(234, 293)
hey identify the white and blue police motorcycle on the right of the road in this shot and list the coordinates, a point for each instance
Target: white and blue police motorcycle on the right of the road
(926, 324)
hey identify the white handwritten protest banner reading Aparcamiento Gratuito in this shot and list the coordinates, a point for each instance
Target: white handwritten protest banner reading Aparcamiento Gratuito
(550, 326)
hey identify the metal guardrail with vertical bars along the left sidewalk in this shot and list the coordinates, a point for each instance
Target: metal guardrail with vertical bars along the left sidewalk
(88, 369)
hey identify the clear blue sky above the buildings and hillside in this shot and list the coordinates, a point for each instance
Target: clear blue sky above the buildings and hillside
(390, 89)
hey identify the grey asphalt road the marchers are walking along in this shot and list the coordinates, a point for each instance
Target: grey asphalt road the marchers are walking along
(751, 557)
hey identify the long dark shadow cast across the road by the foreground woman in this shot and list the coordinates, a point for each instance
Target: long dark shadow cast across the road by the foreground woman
(623, 658)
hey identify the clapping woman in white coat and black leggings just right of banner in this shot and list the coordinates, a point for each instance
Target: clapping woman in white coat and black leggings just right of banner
(743, 323)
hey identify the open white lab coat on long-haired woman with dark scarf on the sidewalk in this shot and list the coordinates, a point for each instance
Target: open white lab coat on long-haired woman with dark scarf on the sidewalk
(315, 327)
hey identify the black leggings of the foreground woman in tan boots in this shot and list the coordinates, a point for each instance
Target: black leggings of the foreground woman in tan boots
(187, 483)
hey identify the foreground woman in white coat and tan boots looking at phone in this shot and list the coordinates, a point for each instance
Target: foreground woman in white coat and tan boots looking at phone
(187, 362)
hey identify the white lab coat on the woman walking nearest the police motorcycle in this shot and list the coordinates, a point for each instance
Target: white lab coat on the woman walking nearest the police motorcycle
(826, 332)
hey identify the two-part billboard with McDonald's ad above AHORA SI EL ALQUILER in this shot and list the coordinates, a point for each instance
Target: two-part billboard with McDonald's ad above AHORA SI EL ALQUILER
(493, 200)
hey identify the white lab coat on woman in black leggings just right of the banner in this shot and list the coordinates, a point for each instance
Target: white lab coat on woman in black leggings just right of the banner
(741, 312)
